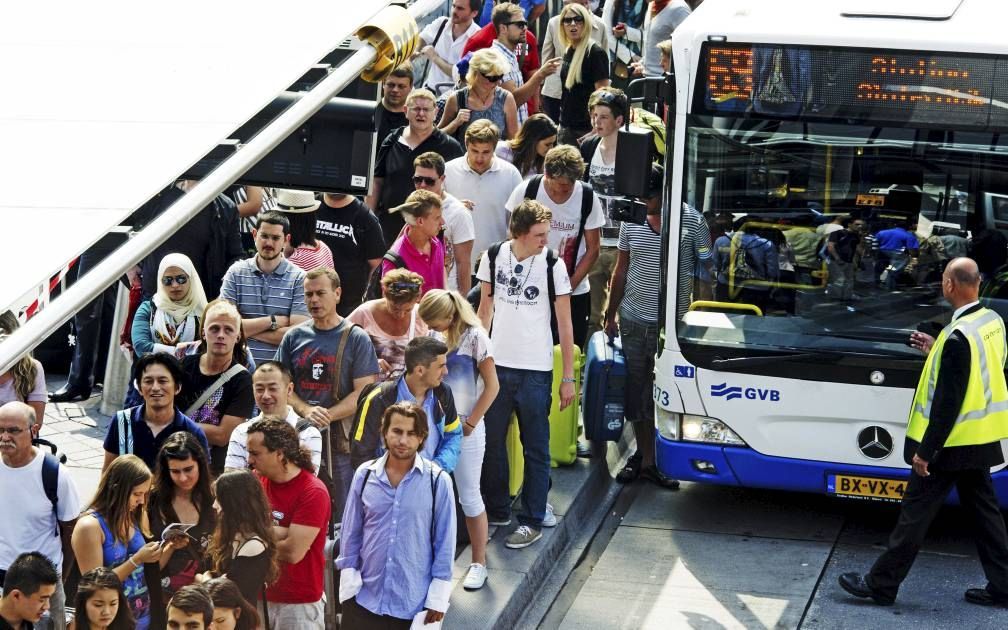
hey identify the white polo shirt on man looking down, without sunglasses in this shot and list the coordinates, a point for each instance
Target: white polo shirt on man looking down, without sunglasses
(488, 193)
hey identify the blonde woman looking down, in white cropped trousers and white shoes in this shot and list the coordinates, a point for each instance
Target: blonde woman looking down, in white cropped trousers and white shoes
(472, 377)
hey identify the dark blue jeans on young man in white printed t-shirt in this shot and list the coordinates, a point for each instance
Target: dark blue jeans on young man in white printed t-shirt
(528, 394)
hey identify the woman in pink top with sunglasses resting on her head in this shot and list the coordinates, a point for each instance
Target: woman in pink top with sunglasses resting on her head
(393, 321)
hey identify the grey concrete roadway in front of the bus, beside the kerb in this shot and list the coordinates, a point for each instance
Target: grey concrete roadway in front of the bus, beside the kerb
(721, 558)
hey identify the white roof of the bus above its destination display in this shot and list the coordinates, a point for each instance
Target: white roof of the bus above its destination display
(951, 26)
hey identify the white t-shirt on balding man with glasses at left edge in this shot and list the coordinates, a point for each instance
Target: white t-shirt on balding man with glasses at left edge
(30, 525)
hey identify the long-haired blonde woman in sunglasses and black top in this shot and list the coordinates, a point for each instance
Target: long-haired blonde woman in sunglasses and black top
(585, 70)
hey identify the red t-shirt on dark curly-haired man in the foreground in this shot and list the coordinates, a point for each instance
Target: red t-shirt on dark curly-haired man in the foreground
(302, 501)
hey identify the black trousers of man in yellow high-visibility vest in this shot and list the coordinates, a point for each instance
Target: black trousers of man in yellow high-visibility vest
(922, 502)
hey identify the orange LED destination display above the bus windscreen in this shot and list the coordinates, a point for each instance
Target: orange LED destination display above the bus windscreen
(938, 89)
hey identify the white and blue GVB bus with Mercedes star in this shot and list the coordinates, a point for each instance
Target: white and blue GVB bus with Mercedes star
(774, 370)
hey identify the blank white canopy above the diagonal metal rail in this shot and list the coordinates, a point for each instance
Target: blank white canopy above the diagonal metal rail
(106, 103)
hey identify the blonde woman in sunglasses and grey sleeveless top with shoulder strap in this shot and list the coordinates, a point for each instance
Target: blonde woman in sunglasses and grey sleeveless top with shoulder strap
(482, 98)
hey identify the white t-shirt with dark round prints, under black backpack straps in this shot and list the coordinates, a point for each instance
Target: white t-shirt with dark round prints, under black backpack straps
(521, 333)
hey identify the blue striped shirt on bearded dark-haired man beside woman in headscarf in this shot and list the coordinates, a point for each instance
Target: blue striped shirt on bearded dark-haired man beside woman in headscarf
(260, 295)
